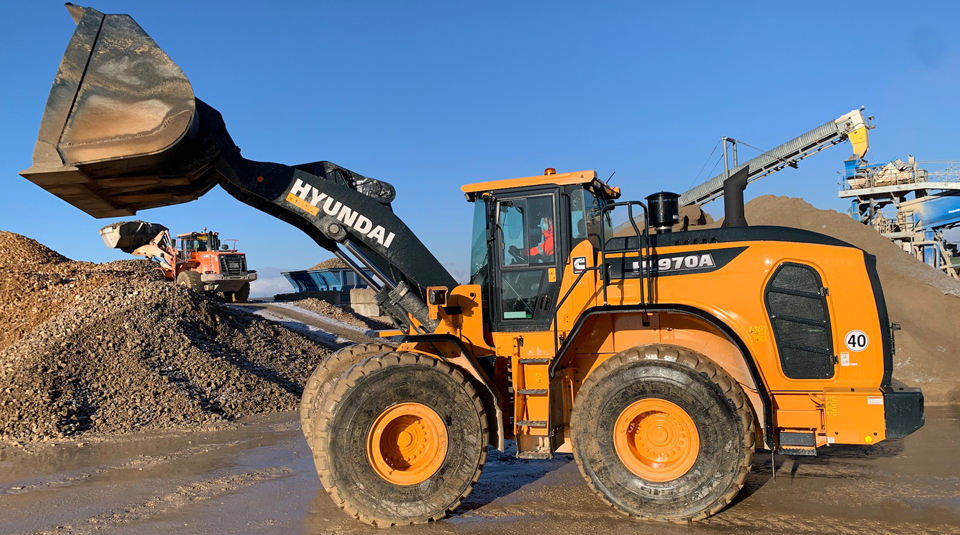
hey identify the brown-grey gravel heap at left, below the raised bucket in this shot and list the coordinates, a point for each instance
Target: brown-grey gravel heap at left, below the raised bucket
(113, 348)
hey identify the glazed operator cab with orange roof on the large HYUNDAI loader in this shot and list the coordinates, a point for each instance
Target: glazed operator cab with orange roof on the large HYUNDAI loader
(523, 231)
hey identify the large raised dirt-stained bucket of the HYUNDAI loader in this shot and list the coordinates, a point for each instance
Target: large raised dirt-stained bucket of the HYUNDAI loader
(118, 123)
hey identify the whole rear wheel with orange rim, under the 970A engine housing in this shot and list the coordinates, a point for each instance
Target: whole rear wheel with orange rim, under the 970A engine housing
(662, 433)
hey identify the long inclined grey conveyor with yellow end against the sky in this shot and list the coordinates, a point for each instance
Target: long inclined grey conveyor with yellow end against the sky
(852, 126)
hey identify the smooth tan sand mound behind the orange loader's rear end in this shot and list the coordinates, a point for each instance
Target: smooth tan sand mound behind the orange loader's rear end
(925, 301)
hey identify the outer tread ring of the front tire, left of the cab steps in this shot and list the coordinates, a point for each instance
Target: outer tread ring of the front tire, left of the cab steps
(347, 381)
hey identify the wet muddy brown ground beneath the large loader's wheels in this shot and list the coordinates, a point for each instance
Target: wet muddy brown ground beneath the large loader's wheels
(258, 478)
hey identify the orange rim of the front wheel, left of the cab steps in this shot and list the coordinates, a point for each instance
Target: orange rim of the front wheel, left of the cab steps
(407, 443)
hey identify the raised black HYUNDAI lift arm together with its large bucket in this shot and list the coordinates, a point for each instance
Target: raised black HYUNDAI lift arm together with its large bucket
(122, 131)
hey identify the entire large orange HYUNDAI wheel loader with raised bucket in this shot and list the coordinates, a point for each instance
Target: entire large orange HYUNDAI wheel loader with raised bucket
(660, 360)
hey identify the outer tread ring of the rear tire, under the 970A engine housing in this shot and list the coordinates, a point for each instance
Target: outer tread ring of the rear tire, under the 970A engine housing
(705, 367)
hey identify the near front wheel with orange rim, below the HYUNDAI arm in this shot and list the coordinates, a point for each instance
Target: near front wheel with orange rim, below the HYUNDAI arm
(444, 457)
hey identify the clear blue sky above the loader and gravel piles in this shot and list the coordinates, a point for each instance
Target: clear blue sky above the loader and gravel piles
(432, 95)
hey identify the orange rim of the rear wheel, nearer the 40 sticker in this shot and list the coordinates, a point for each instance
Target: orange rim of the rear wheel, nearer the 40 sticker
(656, 440)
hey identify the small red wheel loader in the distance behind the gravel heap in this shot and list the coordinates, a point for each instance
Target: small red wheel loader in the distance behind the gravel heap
(195, 260)
